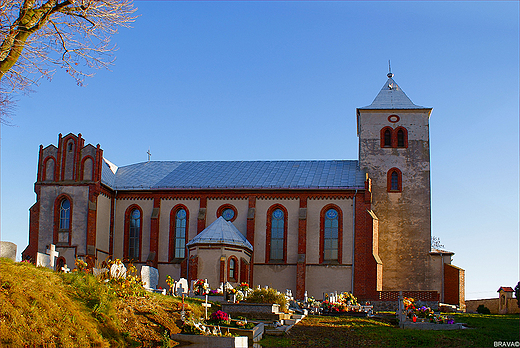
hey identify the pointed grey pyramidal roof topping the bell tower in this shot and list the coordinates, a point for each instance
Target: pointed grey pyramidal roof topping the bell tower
(392, 96)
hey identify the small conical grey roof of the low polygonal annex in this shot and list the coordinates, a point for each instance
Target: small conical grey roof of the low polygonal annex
(221, 232)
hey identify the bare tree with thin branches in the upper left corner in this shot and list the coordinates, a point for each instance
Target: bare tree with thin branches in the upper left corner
(38, 35)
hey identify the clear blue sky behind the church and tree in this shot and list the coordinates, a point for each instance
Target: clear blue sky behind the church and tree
(281, 80)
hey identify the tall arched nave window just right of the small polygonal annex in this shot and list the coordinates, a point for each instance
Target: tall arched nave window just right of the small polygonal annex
(276, 234)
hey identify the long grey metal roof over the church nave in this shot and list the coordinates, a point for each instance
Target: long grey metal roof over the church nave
(323, 174)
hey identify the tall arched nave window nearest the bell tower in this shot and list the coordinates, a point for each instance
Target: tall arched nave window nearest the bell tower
(331, 234)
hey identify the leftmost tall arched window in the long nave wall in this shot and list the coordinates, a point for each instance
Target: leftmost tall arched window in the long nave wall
(133, 233)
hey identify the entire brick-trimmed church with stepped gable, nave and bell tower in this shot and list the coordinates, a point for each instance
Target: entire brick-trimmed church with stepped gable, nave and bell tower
(310, 226)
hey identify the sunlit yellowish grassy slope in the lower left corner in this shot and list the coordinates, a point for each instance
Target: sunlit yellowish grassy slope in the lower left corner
(39, 307)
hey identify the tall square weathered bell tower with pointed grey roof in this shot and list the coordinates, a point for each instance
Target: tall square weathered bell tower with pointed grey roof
(394, 150)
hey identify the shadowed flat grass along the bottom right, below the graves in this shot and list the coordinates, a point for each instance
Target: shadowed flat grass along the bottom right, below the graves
(363, 332)
